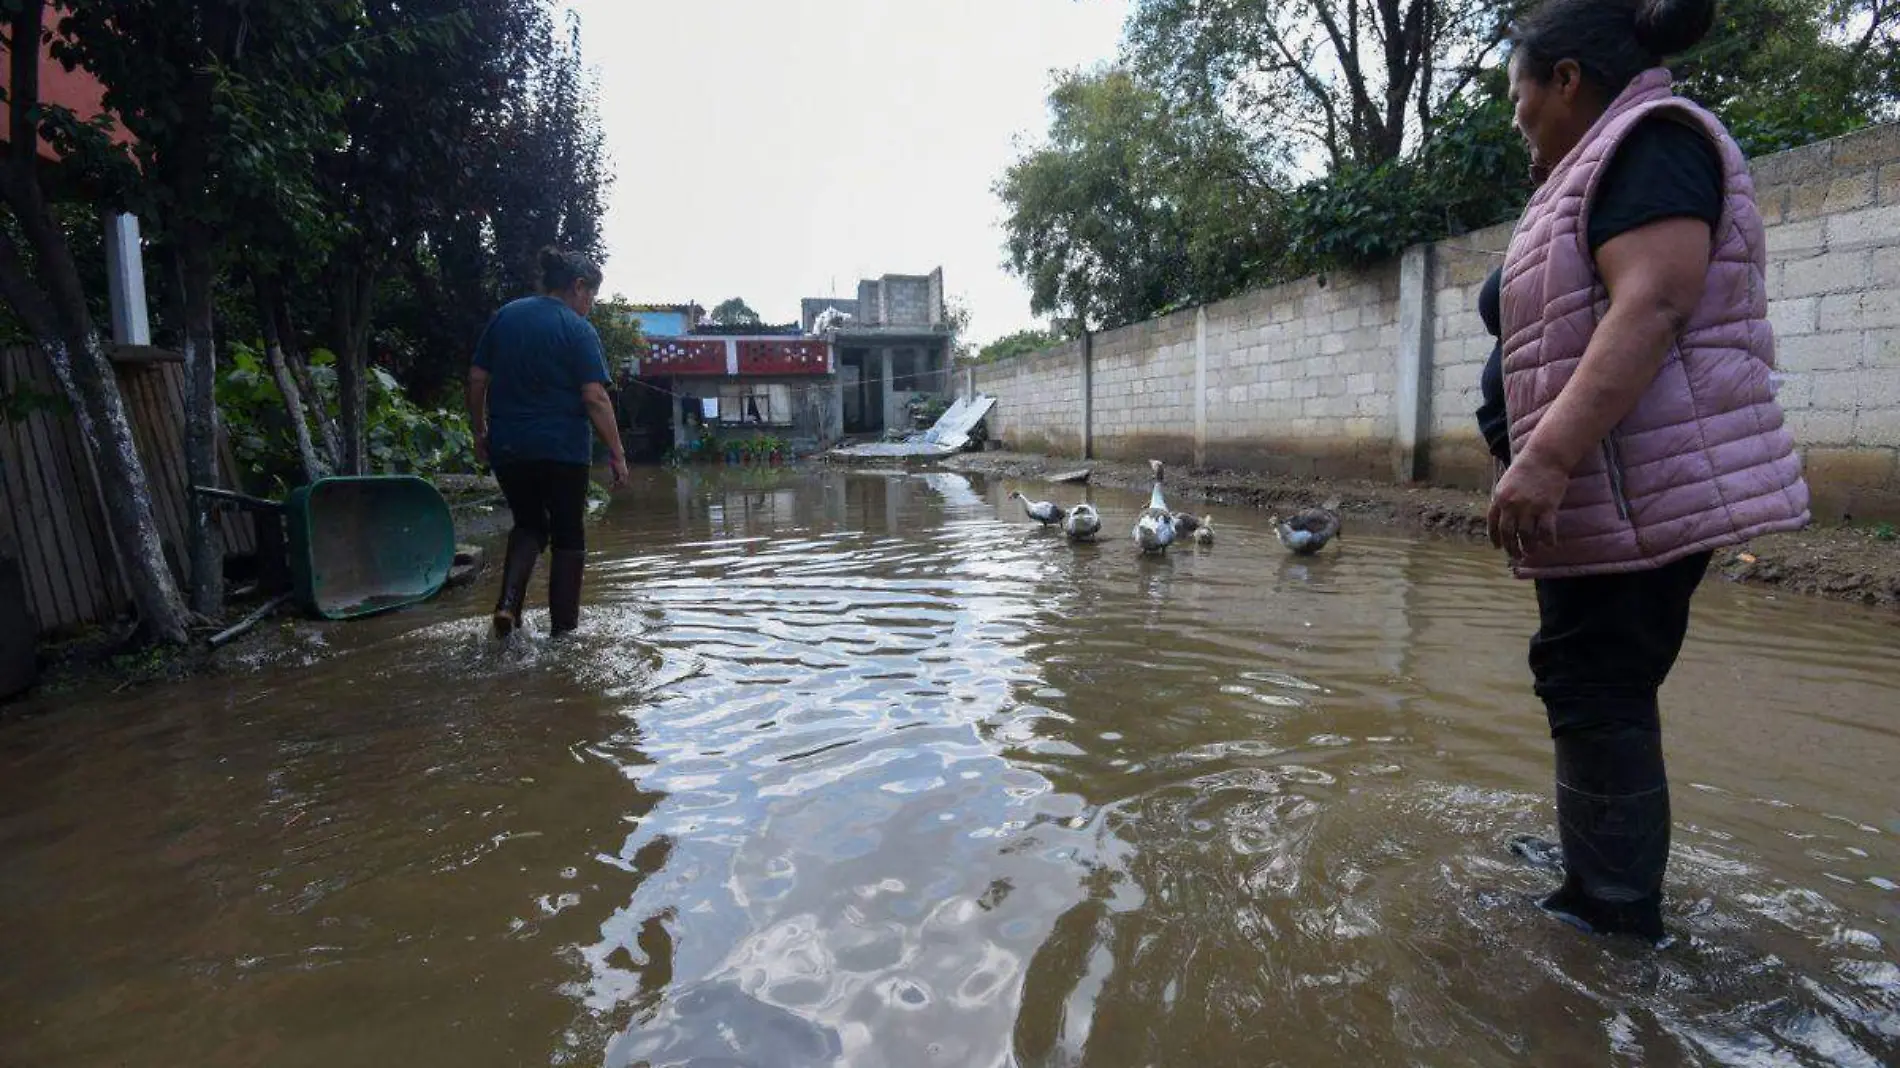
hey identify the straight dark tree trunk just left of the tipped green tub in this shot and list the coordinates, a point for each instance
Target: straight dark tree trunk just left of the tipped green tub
(202, 423)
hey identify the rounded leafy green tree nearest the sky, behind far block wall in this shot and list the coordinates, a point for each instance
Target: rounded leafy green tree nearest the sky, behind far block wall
(1135, 206)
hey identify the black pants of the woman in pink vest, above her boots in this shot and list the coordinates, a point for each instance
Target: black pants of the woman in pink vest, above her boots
(1606, 643)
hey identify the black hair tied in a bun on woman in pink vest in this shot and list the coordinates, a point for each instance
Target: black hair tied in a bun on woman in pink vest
(1612, 41)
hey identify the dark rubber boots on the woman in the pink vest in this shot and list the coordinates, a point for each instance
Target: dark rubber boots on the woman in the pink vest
(1614, 822)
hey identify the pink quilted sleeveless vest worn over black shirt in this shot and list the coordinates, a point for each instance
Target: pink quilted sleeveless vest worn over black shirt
(1703, 461)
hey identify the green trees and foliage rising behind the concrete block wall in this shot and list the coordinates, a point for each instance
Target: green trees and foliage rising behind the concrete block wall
(1190, 176)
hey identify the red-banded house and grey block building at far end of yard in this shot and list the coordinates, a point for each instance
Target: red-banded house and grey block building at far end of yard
(848, 368)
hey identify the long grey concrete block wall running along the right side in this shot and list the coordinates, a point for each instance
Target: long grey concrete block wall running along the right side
(1320, 377)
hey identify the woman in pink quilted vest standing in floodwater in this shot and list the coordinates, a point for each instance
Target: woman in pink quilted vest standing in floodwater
(1643, 425)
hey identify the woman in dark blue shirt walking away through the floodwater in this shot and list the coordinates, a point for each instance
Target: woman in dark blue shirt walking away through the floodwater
(537, 389)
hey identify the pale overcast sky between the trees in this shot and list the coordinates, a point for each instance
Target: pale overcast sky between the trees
(784, 149)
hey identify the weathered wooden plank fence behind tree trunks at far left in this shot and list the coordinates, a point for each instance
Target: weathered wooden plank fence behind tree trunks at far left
(52, 524)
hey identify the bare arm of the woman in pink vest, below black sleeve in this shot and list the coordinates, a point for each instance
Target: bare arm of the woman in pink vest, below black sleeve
(1656, 277)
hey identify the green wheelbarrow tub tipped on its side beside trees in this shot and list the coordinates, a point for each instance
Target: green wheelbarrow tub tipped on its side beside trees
(368, 544)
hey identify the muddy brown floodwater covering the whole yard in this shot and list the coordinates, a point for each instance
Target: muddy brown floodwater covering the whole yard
(865, 771)
